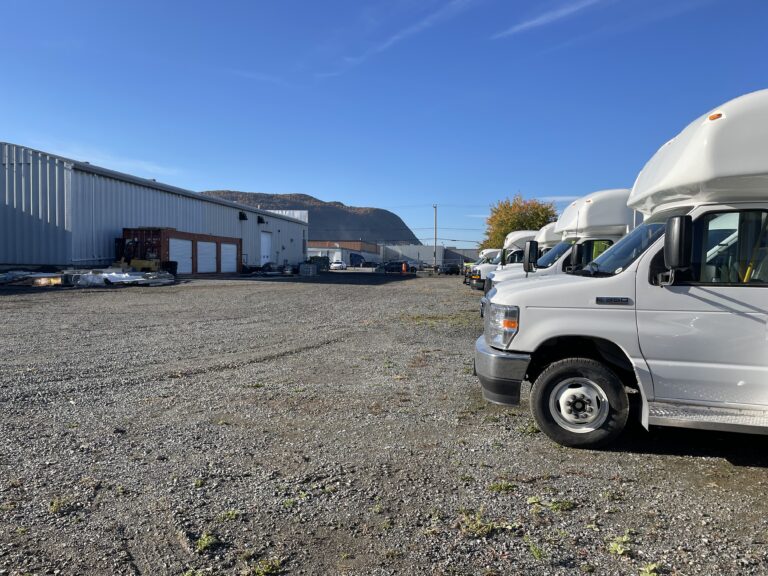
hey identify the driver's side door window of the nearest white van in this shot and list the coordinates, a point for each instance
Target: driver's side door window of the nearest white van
(731, 248)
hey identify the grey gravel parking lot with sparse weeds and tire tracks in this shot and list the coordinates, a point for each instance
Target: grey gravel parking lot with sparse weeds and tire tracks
(327, 427)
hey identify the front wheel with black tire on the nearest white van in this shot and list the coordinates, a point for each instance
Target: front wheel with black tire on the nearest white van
(571, 380)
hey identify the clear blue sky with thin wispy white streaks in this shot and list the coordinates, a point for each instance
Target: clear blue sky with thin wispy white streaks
(399, 104)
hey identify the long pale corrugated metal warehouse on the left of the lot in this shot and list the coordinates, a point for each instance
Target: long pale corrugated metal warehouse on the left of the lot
(61, 212)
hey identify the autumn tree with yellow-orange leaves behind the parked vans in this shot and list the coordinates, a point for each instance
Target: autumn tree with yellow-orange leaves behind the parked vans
(516, 214)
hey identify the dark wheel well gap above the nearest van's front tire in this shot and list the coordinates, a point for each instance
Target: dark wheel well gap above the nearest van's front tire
(598, 349)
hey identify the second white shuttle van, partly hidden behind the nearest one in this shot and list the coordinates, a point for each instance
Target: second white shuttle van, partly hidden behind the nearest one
(592, 224)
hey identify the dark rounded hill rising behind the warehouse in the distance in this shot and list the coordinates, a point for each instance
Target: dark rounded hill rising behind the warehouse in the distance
(330, 220)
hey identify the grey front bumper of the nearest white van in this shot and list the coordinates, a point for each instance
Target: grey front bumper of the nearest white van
(500, 373)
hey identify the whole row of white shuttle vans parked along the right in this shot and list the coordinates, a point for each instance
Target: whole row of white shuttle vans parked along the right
(650, 303)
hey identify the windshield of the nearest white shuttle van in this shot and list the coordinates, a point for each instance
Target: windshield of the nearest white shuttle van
(629, 248)
